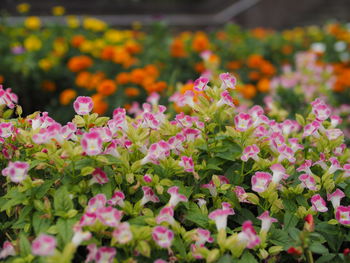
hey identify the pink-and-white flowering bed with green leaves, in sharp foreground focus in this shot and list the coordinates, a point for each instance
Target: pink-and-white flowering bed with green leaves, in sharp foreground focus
(216, 185)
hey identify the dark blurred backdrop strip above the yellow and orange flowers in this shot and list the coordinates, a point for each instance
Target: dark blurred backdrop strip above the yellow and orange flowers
(276, 14)
